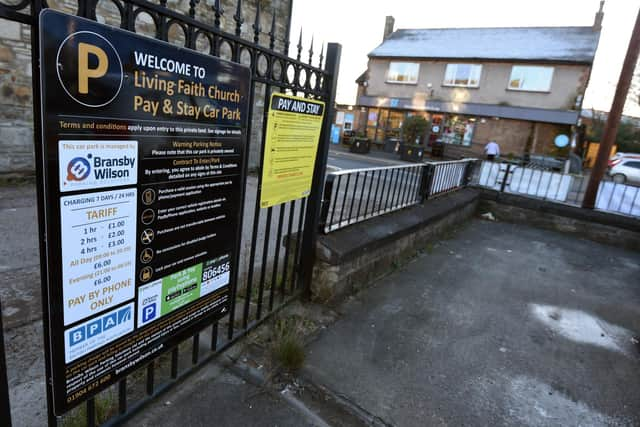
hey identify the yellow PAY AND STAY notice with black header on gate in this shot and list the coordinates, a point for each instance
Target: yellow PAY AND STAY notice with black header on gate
(291, 144)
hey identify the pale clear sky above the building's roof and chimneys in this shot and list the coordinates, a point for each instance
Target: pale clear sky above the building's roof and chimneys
(358, 26)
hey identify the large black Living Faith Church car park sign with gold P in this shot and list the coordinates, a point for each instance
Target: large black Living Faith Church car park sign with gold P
(143, 147)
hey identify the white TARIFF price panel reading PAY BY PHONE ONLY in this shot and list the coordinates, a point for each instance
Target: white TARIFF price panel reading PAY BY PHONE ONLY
(98, 251)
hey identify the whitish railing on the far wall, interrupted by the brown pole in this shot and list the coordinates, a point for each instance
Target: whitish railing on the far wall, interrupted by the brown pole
(557, 187)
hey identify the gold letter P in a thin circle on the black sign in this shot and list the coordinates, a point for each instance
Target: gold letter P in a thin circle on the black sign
(89, 69)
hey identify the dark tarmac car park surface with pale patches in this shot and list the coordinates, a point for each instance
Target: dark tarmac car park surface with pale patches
(501, 325)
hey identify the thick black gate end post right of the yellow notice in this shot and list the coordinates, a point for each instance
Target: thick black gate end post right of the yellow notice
(309, 236)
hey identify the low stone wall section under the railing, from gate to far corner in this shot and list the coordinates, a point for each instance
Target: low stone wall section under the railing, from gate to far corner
(350, 259)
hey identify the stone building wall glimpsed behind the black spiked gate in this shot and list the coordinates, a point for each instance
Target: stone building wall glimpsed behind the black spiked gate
(16, 115)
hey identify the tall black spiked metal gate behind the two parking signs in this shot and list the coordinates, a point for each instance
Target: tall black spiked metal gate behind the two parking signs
(277, 250)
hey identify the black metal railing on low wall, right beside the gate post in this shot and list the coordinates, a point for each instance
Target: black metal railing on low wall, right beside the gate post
(356, 195)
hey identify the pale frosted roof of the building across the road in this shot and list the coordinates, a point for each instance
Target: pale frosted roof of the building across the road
(561, 44)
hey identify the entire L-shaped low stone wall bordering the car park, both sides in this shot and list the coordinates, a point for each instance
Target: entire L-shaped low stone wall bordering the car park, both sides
(352, 258)
